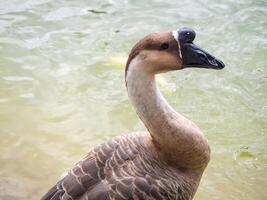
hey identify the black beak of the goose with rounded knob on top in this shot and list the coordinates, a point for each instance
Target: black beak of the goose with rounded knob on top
(194, 56)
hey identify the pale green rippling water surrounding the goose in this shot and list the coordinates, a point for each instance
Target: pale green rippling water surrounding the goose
(62, 89)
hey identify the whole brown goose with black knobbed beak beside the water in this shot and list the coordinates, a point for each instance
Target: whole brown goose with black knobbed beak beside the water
(167, 161)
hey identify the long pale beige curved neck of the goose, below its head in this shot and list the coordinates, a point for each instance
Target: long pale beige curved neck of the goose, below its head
(179, 139)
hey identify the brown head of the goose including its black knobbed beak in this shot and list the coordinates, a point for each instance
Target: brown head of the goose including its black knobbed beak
(167, 51)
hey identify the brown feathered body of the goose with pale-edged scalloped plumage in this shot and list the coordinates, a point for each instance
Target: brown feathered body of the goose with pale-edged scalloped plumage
(122, 168)
